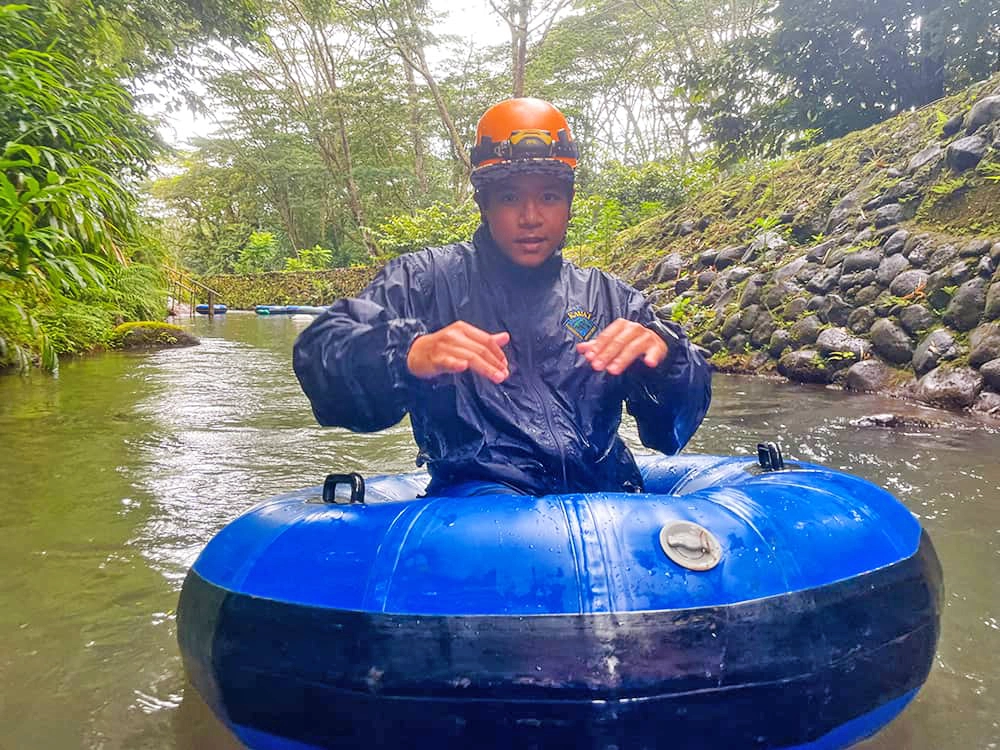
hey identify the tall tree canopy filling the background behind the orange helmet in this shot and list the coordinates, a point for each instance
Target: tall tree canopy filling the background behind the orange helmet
(342, 124)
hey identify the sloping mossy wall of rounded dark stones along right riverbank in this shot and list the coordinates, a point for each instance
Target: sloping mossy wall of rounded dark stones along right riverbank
(878, 302)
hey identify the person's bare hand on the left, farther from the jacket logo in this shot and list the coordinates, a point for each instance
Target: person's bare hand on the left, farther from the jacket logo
(459, 347)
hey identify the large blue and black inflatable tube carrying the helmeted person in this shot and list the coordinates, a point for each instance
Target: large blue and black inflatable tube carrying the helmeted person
(728, 606)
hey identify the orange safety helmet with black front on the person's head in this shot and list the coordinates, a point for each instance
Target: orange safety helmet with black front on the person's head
(522, 135)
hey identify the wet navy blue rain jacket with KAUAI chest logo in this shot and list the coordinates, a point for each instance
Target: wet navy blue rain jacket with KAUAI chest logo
(552, 425)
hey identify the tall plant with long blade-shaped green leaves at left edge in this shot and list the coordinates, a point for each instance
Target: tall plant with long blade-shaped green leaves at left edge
(74, 147)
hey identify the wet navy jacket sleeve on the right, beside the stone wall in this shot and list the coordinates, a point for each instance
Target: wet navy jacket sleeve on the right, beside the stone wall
(669, 401)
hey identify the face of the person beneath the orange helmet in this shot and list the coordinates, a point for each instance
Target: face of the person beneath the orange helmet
(527, 216)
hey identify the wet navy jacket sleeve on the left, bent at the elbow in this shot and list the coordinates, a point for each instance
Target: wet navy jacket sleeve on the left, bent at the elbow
(351, 361)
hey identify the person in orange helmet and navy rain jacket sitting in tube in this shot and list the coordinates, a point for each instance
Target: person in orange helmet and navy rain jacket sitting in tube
(512, 362)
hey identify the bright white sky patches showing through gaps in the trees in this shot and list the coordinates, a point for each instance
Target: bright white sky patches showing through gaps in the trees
(469, 20)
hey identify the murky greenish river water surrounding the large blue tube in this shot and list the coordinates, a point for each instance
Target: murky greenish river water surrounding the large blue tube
(114, 474)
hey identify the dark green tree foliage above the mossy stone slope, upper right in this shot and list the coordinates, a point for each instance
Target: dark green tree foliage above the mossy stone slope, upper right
(837, 67)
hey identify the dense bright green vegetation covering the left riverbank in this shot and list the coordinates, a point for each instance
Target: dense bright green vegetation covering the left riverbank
(75, 256)
